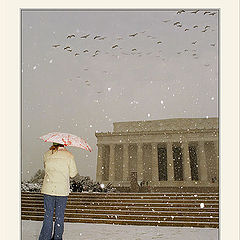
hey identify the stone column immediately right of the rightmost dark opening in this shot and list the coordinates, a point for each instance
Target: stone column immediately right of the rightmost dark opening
(202, 162)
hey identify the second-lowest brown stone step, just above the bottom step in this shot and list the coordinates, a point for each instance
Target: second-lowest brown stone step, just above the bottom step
(131, 217)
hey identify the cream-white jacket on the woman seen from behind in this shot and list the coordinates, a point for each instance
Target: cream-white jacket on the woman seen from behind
(59, 166)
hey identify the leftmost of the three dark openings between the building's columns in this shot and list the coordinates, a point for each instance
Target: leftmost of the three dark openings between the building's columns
(162, 164)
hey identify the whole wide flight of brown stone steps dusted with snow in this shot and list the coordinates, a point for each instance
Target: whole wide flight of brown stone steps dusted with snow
(154, 209)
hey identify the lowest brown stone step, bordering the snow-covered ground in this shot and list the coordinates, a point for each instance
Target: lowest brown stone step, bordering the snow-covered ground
(131, 222)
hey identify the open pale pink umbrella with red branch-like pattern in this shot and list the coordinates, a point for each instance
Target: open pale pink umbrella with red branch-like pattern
(66, 139)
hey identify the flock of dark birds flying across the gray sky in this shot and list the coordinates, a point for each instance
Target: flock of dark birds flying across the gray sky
(134, 51)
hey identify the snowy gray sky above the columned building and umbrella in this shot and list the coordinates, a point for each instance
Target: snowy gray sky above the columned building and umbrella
(82, 94)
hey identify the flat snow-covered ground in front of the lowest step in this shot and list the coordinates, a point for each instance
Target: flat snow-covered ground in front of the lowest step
(88, 231)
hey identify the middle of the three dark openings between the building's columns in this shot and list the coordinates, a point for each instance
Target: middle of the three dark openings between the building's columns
(177, 160)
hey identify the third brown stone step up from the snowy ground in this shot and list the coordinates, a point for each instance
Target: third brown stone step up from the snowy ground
(129, 212)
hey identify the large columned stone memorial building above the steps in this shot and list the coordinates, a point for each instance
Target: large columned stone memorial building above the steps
(164, 154)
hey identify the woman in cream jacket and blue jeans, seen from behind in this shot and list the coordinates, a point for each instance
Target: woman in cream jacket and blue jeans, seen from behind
(59, 165)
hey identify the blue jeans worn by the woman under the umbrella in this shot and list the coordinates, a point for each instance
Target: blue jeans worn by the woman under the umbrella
(51, 202)
